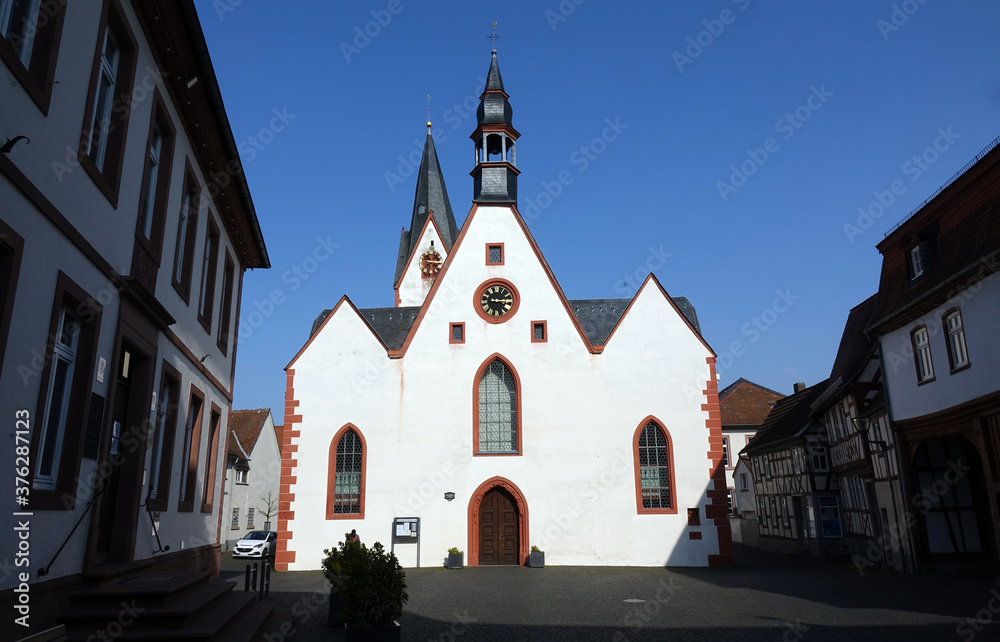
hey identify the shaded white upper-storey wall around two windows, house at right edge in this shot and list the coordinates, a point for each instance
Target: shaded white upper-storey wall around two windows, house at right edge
(980, 306)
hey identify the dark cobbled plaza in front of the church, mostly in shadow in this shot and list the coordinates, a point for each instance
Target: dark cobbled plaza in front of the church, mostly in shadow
(767, 596)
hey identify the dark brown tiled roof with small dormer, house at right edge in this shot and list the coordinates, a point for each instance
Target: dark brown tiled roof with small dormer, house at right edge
(957, 229)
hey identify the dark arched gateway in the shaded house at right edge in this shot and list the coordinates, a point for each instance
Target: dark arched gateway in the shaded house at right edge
(951, 497)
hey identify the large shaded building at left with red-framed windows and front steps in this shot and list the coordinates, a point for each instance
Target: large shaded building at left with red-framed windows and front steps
(125, 232)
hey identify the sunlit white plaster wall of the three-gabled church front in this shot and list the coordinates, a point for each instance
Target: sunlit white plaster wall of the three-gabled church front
(579, 414)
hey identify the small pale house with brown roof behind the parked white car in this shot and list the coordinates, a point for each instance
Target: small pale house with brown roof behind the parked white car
(253, 469)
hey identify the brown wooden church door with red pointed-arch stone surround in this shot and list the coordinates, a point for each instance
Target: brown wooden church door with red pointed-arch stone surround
(498, 518)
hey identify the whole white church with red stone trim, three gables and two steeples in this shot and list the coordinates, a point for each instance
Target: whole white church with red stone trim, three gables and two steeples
(487, 412)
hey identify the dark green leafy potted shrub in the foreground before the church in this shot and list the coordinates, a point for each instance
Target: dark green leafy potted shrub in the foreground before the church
(372, 587)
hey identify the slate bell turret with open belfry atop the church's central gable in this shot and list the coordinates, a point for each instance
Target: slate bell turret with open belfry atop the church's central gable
(495, 173)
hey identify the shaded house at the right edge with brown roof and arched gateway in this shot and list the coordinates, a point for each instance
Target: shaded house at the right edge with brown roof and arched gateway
(936, 320)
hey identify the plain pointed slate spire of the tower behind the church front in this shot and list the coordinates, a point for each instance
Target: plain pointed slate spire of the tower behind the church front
(430, 199)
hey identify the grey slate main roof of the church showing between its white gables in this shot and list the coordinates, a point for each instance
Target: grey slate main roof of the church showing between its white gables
(598, 318)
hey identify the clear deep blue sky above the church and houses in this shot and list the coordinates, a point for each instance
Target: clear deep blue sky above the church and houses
(726, 144)
